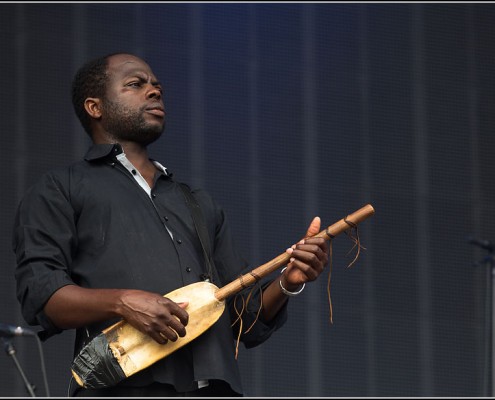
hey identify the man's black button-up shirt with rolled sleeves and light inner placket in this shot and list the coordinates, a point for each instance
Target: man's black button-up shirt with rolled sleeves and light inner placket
(92, 224)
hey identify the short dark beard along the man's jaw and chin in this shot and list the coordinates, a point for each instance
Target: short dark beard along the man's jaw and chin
(126, 124)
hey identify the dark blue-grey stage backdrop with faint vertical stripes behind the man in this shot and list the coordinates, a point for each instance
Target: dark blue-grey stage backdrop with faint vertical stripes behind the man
(284, 112)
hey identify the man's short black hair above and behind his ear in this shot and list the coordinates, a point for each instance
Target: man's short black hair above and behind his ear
(90, 81)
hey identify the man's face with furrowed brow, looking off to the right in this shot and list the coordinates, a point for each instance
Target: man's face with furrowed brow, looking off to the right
(132, 109)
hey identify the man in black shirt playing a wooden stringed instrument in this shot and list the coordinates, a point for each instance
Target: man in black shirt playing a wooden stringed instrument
(105, 238)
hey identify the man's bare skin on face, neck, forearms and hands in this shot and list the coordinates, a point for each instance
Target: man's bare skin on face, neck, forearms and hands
(132, 114)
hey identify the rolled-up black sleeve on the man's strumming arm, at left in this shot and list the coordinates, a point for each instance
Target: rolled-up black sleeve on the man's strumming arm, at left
(43, 241)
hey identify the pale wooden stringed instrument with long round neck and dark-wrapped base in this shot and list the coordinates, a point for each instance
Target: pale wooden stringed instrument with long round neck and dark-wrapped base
(121, 350)
